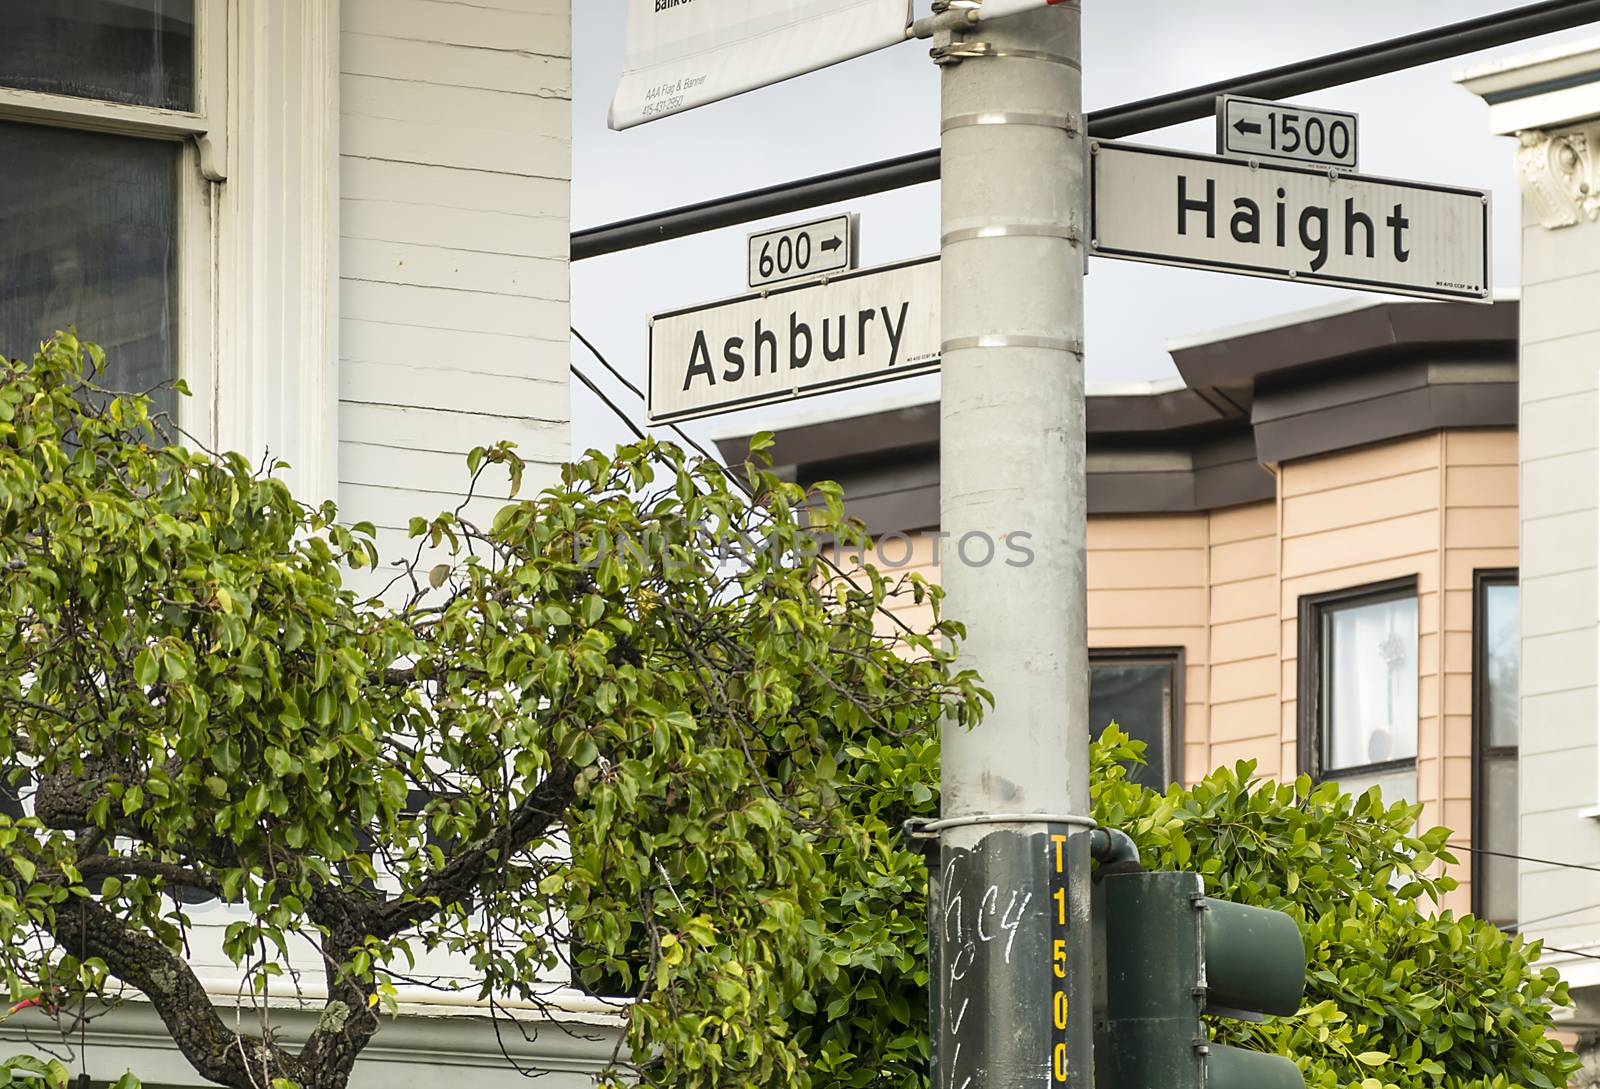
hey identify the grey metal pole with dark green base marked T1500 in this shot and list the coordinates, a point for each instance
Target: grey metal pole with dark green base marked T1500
(1010, 906)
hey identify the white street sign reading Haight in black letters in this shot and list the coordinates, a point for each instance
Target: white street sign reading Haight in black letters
(1289, 223)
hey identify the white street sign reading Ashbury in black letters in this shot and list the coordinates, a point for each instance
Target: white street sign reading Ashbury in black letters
(860, 329)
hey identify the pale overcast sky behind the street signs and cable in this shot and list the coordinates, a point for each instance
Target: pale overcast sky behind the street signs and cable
(1414, 124)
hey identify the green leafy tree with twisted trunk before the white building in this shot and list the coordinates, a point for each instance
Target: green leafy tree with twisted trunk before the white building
(575, 735)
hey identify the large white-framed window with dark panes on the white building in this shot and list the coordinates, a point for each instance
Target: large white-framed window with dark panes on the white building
(105, 213)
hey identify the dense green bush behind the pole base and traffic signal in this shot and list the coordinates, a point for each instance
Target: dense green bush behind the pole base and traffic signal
(1398, 997)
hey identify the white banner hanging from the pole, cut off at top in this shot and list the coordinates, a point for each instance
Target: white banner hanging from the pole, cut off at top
(687, 54)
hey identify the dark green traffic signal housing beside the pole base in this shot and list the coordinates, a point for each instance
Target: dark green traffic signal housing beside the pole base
(1174, 954)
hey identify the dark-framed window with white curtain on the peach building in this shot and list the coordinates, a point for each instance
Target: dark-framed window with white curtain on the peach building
(1359, 684)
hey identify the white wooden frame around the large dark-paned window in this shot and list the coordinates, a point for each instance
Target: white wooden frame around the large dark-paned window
(202, 166)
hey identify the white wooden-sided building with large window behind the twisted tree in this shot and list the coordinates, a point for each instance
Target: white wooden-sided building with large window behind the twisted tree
(353, 244)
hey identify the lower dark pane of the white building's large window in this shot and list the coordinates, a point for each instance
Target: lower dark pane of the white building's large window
(89, 237)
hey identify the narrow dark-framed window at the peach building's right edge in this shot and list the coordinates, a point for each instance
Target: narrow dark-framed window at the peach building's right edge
(1497, 712)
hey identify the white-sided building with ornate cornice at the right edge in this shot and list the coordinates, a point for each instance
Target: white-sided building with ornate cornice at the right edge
(1551, 105)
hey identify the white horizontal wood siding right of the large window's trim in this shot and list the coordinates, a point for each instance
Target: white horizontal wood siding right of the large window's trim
(454, 297)
